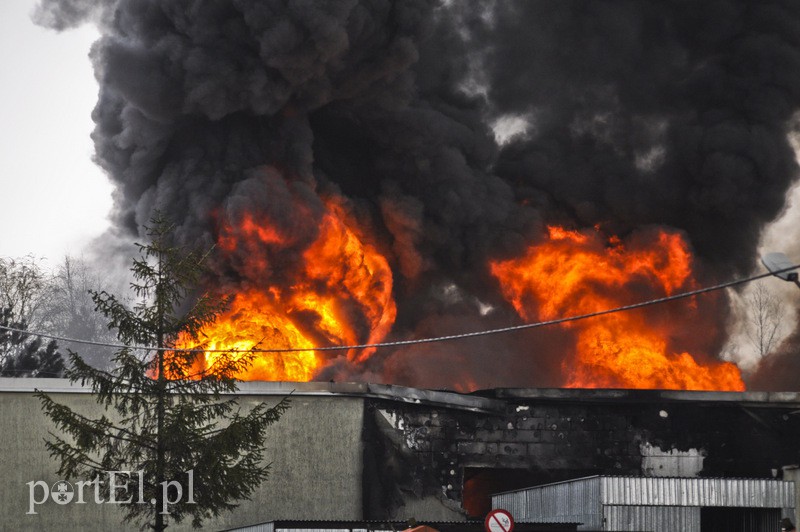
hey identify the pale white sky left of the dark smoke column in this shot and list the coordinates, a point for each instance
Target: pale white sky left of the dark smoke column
(53, 198)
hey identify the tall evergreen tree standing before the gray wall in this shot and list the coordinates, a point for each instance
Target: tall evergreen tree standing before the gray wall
(170, 421)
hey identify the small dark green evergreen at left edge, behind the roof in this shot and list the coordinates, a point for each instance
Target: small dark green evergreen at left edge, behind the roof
(24, 356)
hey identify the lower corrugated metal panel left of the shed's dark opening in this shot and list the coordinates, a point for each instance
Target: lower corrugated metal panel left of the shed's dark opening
(652, 518)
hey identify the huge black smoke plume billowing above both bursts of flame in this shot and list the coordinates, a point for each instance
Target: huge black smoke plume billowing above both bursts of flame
(633, 113)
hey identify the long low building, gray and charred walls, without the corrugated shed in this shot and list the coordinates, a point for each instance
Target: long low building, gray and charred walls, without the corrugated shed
(363, 451)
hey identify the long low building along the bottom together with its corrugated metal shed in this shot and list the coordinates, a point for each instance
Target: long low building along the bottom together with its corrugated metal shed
(367, 453)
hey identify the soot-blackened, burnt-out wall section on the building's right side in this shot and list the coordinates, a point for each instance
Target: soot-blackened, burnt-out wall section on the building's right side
(531, 437)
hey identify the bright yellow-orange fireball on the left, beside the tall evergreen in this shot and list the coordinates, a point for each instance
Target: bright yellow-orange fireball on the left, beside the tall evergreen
(340, 294)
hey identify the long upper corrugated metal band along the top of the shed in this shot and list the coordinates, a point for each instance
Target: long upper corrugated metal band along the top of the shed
(733, 492)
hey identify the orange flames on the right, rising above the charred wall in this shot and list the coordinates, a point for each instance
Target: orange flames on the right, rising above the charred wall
(581, 272)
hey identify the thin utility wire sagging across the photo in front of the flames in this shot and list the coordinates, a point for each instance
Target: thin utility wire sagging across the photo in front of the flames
(435, 339)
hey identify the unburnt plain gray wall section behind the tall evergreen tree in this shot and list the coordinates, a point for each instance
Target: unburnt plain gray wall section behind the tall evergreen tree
(315, 450)
